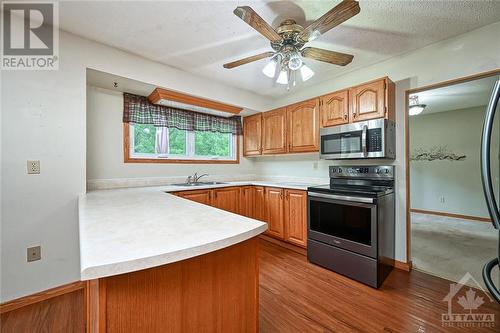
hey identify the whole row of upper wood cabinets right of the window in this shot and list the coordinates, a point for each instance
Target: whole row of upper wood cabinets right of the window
(295, 128)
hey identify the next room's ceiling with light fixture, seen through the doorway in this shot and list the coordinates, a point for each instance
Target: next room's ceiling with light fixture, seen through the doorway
(458, 96)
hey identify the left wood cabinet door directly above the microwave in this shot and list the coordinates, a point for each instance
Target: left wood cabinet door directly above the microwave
(334, 108)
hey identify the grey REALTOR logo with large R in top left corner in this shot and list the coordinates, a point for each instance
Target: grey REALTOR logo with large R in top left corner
(30, 35)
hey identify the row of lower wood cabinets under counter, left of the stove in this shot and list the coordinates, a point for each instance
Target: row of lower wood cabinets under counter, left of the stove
(284, 210)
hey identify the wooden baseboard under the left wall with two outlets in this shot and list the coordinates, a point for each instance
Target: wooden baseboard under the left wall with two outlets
(41, 296)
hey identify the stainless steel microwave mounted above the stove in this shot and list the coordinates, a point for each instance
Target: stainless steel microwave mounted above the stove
(364, 139)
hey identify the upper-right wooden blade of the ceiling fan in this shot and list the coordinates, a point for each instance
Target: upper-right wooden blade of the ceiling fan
(338, 14)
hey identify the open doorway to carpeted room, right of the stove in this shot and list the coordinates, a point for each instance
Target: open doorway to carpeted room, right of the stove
(449, 225)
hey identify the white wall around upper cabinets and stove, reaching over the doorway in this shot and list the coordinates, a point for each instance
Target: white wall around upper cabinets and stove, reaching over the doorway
(467, 54)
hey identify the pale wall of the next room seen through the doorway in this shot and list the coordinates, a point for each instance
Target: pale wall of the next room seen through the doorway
(458, 182)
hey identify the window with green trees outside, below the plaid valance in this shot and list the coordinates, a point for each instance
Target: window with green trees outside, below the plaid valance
(146, 143)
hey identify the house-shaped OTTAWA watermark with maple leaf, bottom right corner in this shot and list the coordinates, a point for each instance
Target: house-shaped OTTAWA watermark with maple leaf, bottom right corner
(464, 305)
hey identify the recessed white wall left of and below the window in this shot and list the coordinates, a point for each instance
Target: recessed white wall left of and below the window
(105, 146)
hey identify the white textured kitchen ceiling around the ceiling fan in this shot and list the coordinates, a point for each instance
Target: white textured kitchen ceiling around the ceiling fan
(199, 36)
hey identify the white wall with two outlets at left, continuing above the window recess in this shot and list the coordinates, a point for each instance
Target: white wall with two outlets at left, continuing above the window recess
(44, 118)
